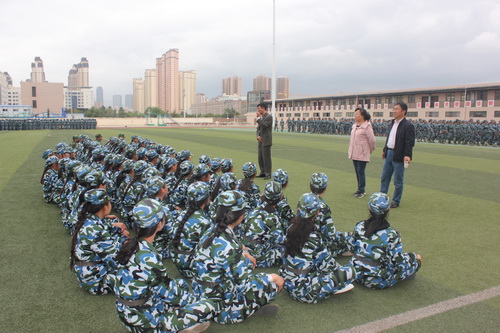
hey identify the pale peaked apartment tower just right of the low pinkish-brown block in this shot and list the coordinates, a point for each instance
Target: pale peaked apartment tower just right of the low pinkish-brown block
(78, 94)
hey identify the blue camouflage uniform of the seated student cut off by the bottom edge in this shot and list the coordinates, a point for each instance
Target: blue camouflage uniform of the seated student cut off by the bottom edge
(169, 305)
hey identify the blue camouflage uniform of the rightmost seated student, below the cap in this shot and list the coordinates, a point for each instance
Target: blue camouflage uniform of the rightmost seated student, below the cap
(379, 260)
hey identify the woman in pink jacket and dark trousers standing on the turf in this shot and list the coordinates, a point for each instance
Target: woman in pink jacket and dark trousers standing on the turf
(361, 146)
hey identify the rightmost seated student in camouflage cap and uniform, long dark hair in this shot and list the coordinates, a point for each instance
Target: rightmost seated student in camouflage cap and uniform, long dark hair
(378, 251)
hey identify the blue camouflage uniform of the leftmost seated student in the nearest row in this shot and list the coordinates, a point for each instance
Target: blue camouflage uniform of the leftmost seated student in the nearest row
(97, 244)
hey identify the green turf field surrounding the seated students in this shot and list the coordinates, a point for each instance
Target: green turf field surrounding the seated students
(449, 214)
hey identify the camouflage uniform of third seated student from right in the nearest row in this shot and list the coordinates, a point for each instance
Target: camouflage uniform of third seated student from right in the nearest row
(225, 276)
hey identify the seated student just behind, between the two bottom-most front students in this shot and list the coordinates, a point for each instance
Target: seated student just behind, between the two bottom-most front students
(189, 227)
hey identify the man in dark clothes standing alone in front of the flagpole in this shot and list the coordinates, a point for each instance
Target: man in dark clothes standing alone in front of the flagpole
(265, 140)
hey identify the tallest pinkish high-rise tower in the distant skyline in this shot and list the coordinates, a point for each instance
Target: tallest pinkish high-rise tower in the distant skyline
(167, 75)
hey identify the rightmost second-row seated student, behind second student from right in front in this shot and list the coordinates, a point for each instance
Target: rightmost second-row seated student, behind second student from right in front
(333, 239)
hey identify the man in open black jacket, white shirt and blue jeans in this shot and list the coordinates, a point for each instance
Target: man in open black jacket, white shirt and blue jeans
(397, 152)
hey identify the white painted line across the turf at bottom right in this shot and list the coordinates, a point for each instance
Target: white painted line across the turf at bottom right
(431, 310)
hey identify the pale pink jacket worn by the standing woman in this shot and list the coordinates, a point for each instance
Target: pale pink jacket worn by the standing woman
(362, 142)
